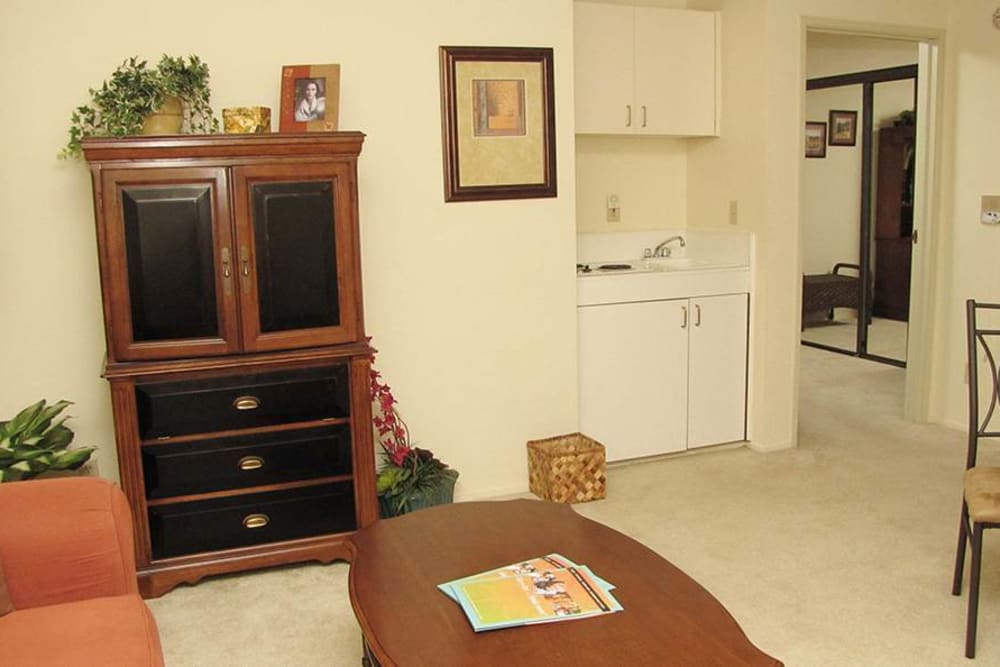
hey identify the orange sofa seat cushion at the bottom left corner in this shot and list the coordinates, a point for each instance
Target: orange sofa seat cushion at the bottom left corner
(116, 630)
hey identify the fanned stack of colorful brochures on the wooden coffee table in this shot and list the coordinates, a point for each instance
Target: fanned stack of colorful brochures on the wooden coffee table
(539, 590)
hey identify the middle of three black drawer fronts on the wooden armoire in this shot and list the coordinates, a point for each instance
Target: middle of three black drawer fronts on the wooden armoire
(242, 461)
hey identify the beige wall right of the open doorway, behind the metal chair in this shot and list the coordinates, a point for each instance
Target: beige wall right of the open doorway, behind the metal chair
(967, 262)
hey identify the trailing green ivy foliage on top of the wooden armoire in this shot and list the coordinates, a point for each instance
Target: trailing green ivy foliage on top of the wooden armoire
(120, 106)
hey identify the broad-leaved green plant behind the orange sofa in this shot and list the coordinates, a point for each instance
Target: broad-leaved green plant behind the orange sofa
(31, 443)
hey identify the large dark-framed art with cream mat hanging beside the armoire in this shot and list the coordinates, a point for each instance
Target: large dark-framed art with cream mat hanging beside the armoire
(497, 122)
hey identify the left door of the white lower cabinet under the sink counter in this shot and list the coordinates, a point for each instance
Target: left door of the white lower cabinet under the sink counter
(633, 377)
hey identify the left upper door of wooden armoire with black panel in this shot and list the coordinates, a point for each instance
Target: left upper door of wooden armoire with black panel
(168, 266)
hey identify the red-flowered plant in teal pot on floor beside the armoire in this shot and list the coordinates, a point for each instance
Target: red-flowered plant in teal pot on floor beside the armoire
(410, 478)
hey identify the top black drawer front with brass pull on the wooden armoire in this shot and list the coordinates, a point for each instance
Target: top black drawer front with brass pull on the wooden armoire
(241, 401)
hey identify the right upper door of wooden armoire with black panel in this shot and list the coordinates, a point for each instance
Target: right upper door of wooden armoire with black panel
(297, 255)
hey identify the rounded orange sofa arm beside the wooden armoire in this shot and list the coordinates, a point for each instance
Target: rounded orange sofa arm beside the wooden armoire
(65, 539)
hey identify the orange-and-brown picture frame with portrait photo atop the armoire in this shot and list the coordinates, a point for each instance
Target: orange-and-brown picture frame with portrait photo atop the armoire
(310, 98)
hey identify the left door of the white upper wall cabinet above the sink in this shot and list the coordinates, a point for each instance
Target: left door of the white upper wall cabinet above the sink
(603, 68)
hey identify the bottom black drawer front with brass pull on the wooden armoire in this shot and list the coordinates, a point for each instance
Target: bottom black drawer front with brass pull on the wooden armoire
(259, 518)
